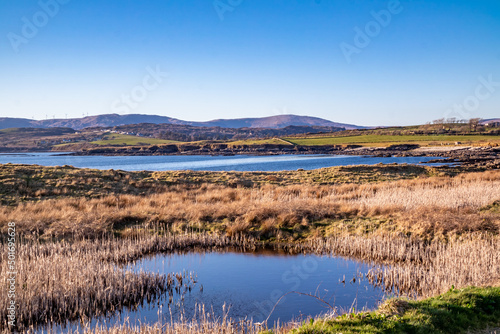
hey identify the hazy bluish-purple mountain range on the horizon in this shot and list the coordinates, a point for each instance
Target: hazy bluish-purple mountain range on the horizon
(110, 120)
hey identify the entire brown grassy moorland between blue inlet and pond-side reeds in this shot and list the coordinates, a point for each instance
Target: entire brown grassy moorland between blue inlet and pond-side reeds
(422, 202)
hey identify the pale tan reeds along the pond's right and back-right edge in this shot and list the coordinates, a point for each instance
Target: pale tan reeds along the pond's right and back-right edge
(415, 267)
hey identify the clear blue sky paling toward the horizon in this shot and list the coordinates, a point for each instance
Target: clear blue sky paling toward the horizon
(422, 60)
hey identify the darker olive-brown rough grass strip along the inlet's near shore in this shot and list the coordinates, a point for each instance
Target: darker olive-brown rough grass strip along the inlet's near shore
(21, 183)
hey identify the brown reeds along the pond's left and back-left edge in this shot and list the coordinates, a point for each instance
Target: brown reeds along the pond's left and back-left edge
(60, 281)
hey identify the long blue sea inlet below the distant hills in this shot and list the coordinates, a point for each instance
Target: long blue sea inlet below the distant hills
(203, 162)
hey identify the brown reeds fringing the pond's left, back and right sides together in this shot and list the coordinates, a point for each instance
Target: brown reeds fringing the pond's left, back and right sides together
(60, 281)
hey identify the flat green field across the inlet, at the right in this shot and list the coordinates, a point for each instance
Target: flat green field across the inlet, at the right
(385, 140)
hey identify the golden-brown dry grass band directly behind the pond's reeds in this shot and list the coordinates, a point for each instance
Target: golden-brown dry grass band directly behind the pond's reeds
(439, 205)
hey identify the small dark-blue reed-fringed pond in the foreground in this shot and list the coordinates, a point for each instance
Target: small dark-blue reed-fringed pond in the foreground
(250, 284)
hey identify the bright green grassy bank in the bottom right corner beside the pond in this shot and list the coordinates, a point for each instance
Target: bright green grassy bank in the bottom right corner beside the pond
(457, 311)
